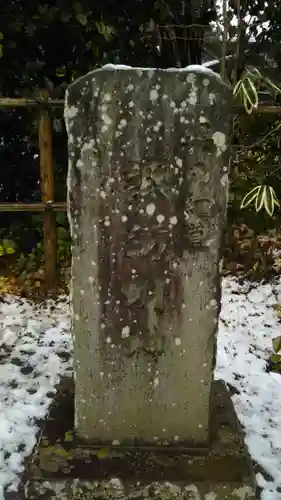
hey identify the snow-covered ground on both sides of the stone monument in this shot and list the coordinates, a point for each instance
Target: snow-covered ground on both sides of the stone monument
(35, 343)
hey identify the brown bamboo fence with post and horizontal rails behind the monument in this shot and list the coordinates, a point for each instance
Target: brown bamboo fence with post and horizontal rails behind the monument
(47, 204)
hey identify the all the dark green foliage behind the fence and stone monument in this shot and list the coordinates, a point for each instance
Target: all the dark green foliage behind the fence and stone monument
(47, 45)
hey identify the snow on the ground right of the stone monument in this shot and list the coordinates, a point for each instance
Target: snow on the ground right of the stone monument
(248, 323)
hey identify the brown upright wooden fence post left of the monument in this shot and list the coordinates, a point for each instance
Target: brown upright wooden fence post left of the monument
(47, 192)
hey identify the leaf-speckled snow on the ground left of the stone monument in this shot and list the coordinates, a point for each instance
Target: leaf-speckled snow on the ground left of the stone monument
(33, 339)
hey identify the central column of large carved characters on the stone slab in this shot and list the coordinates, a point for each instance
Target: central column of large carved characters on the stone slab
(144, 270)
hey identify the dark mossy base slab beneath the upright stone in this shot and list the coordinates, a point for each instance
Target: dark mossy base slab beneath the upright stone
(64, 468)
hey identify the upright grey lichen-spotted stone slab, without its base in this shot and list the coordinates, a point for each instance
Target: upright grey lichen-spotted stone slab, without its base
(147, 190)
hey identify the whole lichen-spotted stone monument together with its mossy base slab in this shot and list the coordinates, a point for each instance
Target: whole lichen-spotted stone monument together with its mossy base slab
(147, 193)
